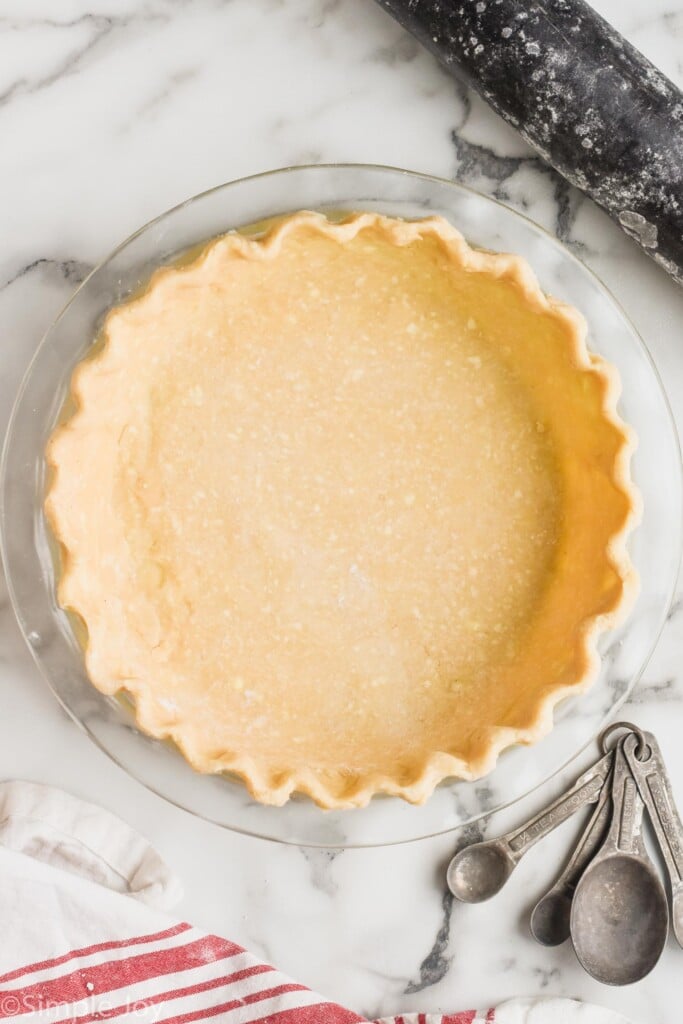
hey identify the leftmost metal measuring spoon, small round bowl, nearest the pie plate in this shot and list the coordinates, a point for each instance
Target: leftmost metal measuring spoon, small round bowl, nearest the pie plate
(480, 871)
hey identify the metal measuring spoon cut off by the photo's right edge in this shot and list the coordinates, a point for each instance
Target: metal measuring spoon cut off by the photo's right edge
(649, 770)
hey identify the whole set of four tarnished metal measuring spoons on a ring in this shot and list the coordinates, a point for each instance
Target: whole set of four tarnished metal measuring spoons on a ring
(610, 899)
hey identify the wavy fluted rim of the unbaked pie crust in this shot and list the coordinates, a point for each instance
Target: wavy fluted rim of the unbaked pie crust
(79, 590)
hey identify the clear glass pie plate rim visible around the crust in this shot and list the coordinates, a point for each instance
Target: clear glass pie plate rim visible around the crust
(27, 547)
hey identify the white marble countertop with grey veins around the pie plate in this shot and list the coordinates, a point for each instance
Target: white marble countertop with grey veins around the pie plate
(110, 113)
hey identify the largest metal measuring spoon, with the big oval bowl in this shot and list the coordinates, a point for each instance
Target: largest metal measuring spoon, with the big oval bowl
(620, 915)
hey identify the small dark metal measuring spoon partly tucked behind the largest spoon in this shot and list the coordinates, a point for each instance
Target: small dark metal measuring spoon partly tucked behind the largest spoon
(550, 917)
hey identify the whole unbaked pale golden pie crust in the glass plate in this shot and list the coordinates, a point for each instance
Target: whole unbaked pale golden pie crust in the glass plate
(344, 507)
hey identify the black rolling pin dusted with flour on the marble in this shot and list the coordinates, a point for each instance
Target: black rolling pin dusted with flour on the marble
(581, 95)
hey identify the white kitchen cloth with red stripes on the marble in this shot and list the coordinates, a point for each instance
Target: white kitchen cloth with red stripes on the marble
(84, 937)
